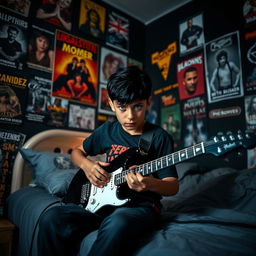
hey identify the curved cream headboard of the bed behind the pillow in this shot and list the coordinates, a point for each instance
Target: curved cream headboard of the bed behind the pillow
(50, 140)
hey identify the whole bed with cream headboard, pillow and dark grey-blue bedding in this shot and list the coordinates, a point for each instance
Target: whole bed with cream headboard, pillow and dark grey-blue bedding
(214, 212)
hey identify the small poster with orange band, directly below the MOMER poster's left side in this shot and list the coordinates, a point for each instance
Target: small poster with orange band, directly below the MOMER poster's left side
(57, 110)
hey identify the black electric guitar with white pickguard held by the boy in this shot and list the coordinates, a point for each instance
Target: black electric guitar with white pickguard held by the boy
(93, 198)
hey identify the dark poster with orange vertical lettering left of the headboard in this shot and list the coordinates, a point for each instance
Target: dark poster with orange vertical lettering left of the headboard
(10, 142)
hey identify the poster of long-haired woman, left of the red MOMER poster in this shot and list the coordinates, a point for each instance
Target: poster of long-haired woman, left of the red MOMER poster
(40, 49)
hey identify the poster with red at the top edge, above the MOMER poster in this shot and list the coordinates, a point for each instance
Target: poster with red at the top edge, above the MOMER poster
(57, 13)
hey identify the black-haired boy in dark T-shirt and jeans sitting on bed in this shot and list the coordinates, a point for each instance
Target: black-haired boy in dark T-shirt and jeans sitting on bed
(64, 227)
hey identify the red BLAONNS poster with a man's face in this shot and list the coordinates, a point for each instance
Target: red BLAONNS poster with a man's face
(190, 75)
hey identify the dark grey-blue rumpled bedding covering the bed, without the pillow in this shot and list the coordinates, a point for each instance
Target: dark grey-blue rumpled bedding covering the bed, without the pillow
(214, 213)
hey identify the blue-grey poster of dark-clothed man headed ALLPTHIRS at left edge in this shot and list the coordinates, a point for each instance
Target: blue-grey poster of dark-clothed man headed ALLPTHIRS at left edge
(13, 41)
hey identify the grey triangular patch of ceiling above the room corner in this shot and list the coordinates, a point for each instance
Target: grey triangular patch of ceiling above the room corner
(146, 11)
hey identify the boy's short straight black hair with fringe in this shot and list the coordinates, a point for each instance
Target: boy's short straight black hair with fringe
(129, 84)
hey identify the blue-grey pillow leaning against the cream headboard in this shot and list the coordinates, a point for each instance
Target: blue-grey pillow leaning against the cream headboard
(52, 171)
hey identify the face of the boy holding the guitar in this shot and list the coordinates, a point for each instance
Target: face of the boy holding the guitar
(131, 116)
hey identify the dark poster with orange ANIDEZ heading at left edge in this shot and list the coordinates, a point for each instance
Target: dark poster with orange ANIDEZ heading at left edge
(13, 93)
